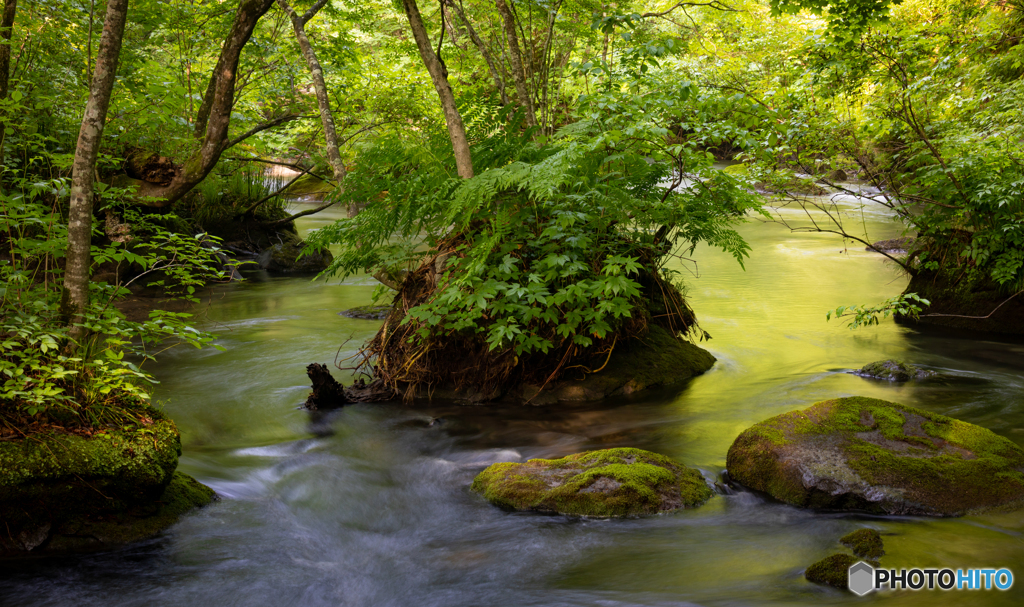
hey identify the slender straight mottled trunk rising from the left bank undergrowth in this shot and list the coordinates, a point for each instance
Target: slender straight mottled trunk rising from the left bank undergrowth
(76, 289)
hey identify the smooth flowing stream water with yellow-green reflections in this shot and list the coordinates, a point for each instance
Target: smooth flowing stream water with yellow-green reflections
(371, 506)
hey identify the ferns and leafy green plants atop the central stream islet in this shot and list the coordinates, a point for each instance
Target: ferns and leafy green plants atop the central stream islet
(551, 243)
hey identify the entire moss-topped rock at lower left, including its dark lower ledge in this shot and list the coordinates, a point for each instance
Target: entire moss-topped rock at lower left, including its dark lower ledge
(64, 493)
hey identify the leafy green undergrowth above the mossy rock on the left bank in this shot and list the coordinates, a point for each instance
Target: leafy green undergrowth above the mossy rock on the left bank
(48, 377)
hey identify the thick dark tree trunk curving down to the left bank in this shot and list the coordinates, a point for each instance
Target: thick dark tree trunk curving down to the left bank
(216, 112)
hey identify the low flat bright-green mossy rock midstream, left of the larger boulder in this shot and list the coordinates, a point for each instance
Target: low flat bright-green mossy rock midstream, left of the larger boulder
(615, 483)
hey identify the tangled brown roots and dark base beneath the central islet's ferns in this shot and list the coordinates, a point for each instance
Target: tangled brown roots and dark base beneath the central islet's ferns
(405, 365)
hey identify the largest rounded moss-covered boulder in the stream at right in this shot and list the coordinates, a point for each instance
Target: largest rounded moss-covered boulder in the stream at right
(870, 455)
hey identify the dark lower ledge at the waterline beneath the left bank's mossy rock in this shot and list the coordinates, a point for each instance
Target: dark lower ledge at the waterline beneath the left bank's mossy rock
(91, 532)
